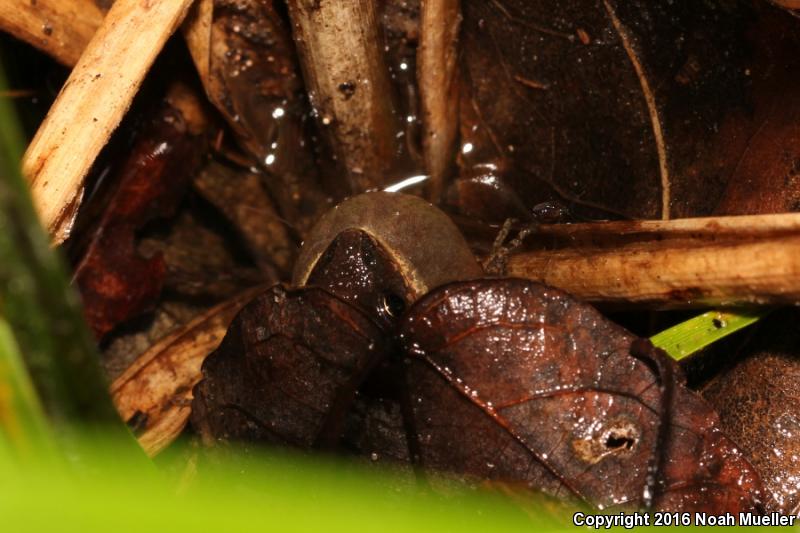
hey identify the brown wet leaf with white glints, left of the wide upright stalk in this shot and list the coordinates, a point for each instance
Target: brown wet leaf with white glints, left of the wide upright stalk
(253, 79)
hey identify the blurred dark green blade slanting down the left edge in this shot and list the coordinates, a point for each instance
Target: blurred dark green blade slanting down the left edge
(41, 310)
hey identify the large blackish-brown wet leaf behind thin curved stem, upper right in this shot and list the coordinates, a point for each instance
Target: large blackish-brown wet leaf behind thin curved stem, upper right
(623, 109)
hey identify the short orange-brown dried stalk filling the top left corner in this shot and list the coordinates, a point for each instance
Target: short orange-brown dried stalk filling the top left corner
(59, 28)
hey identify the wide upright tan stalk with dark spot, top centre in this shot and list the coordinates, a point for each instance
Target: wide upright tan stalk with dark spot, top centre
(343, 62)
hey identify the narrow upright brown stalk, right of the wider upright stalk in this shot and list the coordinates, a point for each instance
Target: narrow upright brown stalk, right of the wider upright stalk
(437, 76)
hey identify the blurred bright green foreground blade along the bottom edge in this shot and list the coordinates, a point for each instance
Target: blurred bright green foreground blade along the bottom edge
(286, 493)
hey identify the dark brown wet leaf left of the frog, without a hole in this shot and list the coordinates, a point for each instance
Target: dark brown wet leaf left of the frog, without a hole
(286, 371)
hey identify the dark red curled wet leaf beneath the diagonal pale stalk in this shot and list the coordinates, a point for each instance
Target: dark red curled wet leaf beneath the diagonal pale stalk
(115, 282)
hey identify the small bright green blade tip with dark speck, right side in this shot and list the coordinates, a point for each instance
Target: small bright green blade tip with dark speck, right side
(696, 333)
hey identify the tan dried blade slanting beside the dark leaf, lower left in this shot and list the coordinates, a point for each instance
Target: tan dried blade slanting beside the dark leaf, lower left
(154, 394)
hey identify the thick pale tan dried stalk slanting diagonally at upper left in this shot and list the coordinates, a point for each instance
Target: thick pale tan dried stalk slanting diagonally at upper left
(92, 103)
